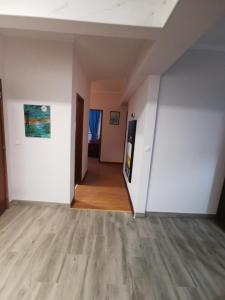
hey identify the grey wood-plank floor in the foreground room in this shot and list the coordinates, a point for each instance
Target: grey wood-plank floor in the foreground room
(56, 253)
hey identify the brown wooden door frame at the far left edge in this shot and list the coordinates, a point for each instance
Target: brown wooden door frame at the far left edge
(2, 132)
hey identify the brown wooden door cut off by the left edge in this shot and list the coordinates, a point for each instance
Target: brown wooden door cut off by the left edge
(3, 172)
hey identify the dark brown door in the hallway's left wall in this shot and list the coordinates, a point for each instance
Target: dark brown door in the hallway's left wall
(79, 139)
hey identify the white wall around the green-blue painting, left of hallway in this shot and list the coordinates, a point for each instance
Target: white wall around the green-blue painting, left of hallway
(38, 72)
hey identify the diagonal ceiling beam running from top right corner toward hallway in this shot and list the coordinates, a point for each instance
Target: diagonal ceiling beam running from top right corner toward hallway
(190, 21)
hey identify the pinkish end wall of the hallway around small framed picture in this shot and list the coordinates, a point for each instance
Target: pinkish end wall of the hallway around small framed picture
(113, 136)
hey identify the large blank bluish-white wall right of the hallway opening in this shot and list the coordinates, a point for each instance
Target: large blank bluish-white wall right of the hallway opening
(189, 160)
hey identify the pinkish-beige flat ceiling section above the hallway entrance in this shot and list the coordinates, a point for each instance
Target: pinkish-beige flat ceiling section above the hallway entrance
(104, 58)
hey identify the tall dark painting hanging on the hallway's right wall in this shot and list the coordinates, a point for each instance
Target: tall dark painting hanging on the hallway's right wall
(130, 148)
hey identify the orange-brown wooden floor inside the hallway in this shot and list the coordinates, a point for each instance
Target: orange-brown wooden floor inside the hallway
(103, 188)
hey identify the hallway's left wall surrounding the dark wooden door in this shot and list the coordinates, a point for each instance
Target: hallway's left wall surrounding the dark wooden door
(81, 85)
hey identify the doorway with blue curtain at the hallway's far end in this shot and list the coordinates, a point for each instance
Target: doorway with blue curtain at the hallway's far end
(95, 133)
